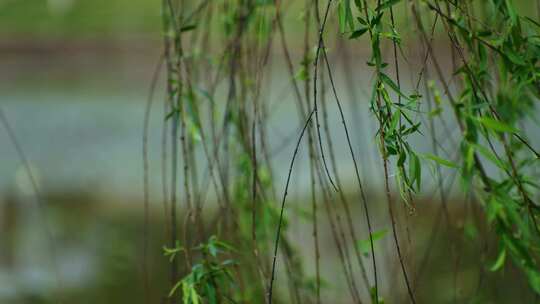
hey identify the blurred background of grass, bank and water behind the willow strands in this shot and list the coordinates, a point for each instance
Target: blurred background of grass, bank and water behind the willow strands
(74, 79)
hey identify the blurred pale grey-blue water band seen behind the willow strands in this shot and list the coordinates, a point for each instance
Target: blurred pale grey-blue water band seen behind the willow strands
(91, 137)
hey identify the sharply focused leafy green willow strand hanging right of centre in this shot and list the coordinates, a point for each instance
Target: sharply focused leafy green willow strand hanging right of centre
(396, 116)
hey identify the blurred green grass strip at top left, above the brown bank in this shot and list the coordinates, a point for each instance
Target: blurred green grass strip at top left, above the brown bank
(74, 18)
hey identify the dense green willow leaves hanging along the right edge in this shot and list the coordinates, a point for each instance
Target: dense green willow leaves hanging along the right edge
(500, 84)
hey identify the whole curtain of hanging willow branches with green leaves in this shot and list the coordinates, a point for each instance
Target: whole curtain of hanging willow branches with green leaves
(493, 87)
